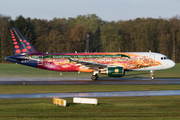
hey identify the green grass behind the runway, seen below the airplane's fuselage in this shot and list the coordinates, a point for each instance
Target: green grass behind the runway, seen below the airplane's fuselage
(21, 71)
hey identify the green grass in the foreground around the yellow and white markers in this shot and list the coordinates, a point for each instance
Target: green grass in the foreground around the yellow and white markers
(126, 108)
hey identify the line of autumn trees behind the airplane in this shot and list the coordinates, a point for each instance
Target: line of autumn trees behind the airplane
(62, 35)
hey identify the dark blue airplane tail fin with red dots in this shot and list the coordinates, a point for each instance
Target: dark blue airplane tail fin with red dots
(20, 43)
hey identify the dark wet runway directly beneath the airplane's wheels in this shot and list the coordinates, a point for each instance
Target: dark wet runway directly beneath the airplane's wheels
(84, 81)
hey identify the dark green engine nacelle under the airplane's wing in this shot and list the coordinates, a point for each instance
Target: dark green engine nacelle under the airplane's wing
(114, 71)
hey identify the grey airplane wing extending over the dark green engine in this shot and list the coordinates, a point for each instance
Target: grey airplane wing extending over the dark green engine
(90, 64)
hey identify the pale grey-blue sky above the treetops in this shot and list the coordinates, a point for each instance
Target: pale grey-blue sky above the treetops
(109, 10)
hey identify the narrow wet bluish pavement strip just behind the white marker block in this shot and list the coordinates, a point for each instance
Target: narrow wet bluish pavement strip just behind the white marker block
(92, 94)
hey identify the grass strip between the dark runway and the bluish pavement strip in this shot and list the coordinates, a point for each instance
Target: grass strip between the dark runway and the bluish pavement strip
(21, 89)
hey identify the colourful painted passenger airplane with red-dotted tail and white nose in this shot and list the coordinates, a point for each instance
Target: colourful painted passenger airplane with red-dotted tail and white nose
(113, 64)
